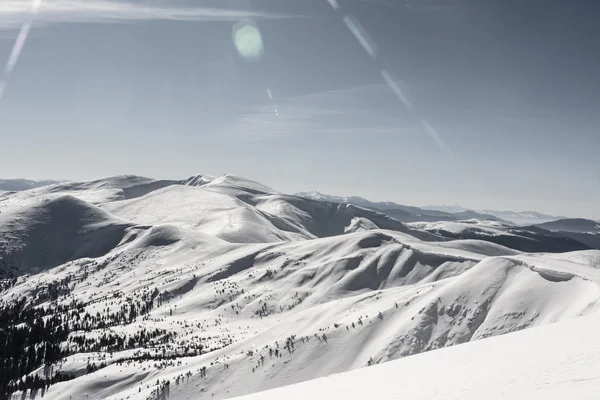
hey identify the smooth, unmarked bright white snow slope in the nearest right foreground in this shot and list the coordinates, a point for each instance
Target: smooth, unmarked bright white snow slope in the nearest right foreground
(552, 362)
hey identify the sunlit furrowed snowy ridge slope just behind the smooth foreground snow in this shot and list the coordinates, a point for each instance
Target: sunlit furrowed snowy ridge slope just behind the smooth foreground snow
(427, 306)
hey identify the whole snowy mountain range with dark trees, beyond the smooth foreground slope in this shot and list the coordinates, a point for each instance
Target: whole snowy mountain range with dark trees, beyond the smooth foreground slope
(214, 287)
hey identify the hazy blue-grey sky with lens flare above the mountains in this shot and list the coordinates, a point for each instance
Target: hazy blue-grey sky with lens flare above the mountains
(487, 104)
